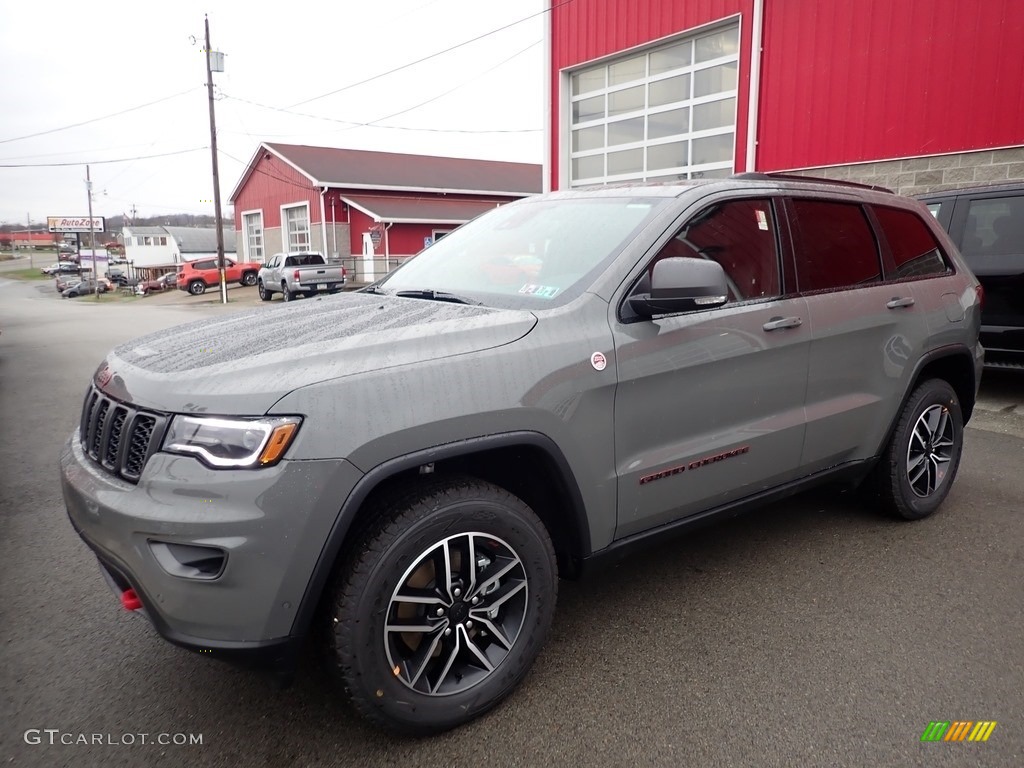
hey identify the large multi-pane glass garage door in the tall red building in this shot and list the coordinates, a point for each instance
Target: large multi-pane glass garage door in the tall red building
(666, 114)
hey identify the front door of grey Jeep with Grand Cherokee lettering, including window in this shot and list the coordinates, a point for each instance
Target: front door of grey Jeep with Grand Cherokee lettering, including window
(710, 405)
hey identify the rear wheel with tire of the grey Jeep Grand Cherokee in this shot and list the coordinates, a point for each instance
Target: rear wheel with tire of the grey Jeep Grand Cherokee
(920, 463)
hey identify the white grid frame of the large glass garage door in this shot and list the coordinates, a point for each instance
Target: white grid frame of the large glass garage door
(690, 169)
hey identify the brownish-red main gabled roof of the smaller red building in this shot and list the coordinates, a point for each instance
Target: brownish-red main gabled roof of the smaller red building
(360, 169)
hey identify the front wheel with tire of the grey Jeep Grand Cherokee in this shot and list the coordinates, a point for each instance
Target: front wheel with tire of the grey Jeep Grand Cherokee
(389, 678)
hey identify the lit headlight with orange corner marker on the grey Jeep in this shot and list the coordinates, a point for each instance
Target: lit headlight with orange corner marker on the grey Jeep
(224, 443)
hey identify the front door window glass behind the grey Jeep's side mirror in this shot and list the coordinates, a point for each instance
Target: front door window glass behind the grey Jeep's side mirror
(740, 235)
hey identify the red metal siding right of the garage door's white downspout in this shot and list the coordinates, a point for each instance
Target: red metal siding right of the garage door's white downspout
(858, 80)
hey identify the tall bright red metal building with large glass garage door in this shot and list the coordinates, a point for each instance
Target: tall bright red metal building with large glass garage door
(917, 96)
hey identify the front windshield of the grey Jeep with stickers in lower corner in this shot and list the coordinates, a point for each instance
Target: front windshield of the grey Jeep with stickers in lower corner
(527, 255)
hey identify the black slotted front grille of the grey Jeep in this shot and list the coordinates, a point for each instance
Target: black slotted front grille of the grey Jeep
(118, 438)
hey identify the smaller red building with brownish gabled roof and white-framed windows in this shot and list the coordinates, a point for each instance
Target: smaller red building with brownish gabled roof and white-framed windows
(371, 209)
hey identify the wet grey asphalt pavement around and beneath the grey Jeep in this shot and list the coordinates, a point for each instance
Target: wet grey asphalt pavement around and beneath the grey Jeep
(809, 633)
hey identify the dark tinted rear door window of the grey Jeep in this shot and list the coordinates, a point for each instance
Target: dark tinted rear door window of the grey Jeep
(834, 246)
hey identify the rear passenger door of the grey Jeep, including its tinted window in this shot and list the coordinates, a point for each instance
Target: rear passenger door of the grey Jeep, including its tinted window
(865, 331)
